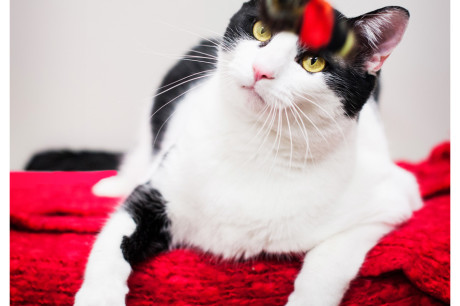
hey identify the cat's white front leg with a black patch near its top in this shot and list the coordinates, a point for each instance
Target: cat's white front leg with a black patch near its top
(137, 230)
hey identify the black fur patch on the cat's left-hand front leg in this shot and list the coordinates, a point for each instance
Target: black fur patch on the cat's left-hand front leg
(151, 237)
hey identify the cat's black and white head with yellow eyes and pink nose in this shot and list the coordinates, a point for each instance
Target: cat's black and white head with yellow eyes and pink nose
(267, 68)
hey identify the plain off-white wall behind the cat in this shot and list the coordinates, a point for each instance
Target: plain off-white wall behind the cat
(83, 70)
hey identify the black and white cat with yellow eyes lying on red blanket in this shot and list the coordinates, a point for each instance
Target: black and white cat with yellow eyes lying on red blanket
(257, 145)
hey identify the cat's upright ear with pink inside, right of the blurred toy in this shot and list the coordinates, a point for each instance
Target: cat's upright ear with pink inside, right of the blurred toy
(380, 31)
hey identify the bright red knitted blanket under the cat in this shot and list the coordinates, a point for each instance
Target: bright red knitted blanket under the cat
(54, 220)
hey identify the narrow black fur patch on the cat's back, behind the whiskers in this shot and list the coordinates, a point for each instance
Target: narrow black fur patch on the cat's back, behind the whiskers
(185, 70)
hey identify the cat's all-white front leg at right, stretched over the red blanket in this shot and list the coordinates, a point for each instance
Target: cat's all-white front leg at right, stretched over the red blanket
(329, 267)
